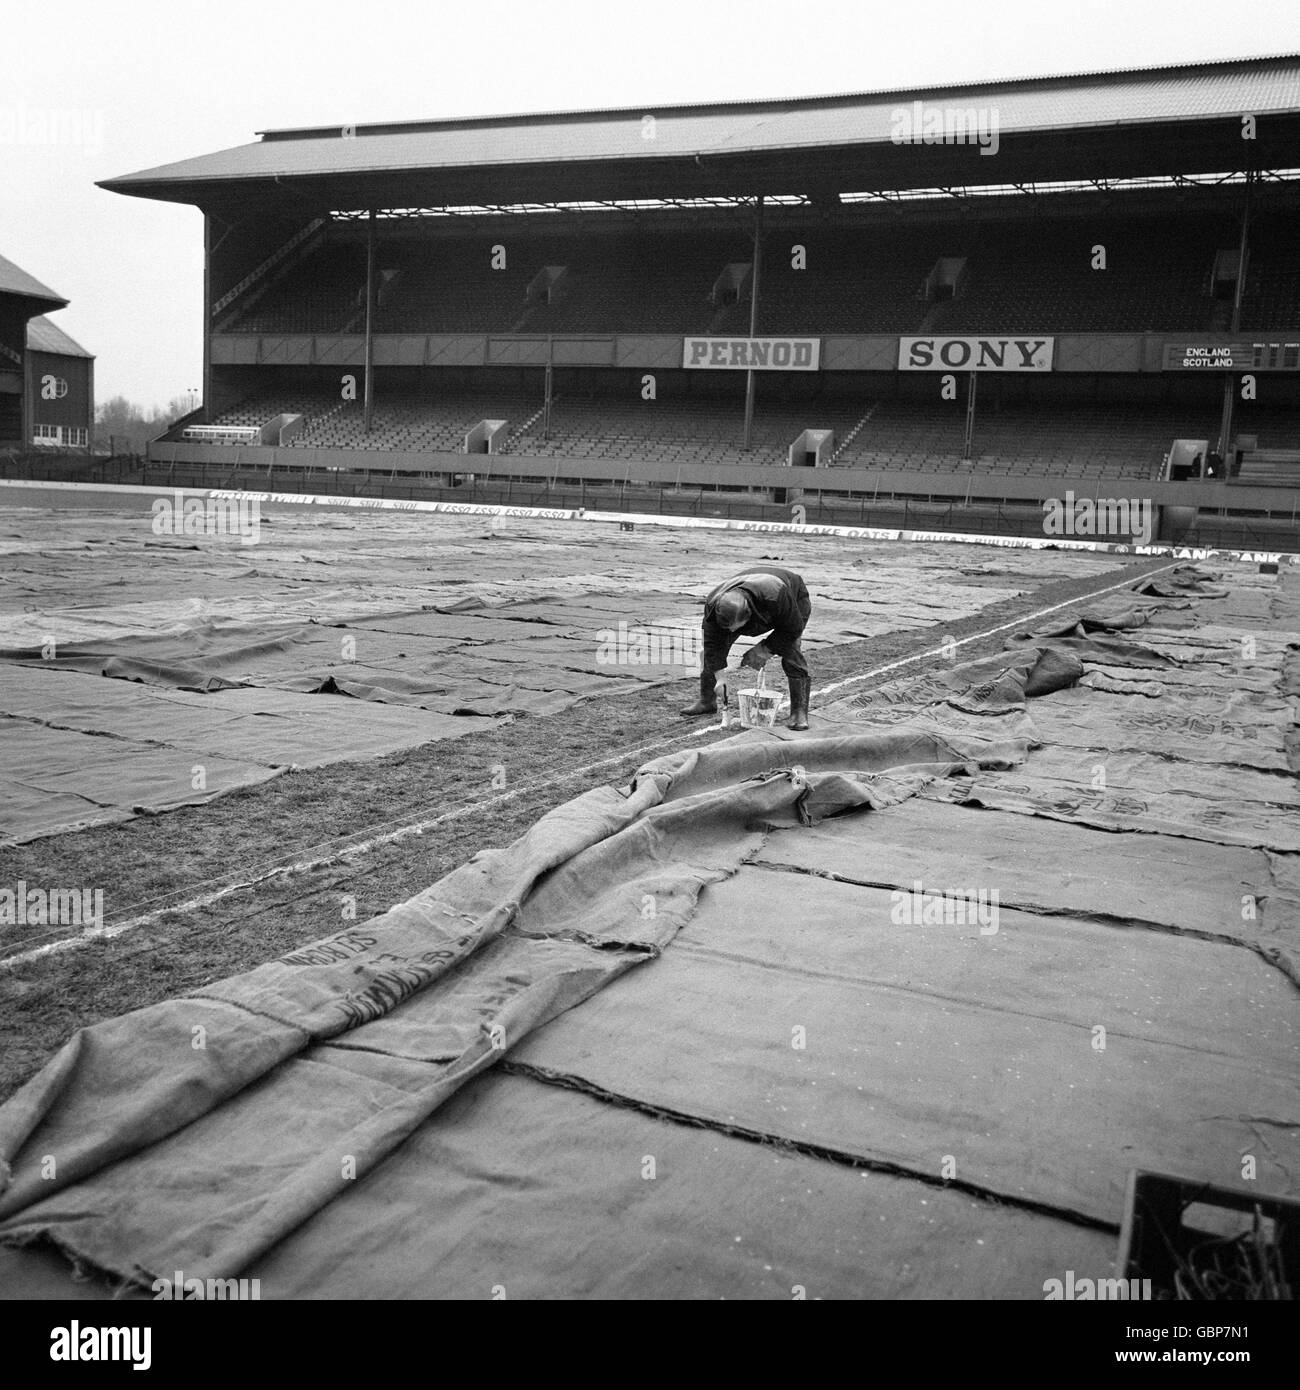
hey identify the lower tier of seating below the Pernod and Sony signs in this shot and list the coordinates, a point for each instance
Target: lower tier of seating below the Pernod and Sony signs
(1081, 441)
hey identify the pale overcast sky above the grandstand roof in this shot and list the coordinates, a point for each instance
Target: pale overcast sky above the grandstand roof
(165, 80)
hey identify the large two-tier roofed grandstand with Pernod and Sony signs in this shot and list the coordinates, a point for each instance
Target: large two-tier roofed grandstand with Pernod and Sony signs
(384, 300)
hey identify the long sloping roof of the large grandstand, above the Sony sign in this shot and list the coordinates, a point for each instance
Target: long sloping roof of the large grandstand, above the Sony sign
(1155, 122)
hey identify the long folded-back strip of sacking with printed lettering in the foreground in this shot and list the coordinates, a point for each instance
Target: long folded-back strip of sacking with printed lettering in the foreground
(197, 1134)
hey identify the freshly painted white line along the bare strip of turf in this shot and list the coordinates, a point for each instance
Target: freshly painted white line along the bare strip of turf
(421, 826)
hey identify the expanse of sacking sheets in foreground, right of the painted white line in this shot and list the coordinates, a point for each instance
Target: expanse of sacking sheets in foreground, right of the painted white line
(803, 1028)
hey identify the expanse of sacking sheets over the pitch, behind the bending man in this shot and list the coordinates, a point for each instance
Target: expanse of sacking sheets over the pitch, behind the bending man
(126, 660)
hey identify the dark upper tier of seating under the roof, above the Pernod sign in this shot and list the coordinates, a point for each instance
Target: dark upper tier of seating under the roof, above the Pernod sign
(1018, 277)
